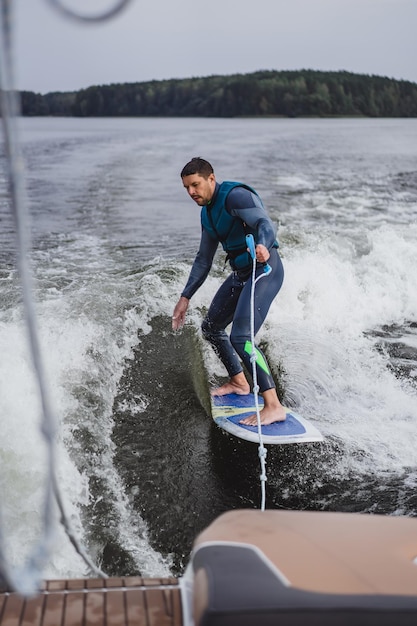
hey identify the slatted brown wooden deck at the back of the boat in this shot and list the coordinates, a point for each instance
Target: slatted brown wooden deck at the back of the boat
(130, 601)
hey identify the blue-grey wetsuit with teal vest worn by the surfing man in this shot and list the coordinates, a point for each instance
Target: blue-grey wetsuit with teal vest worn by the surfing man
(235, 211)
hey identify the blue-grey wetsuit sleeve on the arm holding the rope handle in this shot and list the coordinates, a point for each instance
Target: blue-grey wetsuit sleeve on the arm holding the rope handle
(248, 207)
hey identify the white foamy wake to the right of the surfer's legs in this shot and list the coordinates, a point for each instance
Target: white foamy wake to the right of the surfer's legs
(318, 330)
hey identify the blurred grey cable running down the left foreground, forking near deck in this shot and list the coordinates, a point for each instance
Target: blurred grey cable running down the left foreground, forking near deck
(26, 580)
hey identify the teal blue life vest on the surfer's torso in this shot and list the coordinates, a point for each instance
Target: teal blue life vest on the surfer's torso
(230, 231)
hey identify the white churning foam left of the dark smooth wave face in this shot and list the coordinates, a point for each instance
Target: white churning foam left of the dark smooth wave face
(81, 350)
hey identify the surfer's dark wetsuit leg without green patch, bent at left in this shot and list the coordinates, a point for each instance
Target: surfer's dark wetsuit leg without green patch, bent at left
(219, 316)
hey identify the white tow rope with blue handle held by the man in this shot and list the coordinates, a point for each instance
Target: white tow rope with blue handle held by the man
(261, 450)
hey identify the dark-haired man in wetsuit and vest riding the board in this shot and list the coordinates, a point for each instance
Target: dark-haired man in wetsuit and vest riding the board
(230, 211)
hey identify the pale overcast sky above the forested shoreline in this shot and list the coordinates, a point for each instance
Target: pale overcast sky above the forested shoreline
(157, 39)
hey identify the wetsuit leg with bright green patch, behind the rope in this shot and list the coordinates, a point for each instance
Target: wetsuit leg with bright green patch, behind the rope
(265, 291)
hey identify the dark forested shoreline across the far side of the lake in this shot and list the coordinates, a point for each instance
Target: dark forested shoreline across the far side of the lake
(263, 93)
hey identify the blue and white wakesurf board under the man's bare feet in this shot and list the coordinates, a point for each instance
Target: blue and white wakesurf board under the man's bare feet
(228, 410)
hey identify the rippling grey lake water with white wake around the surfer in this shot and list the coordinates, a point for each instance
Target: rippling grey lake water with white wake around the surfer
(142, 468)
